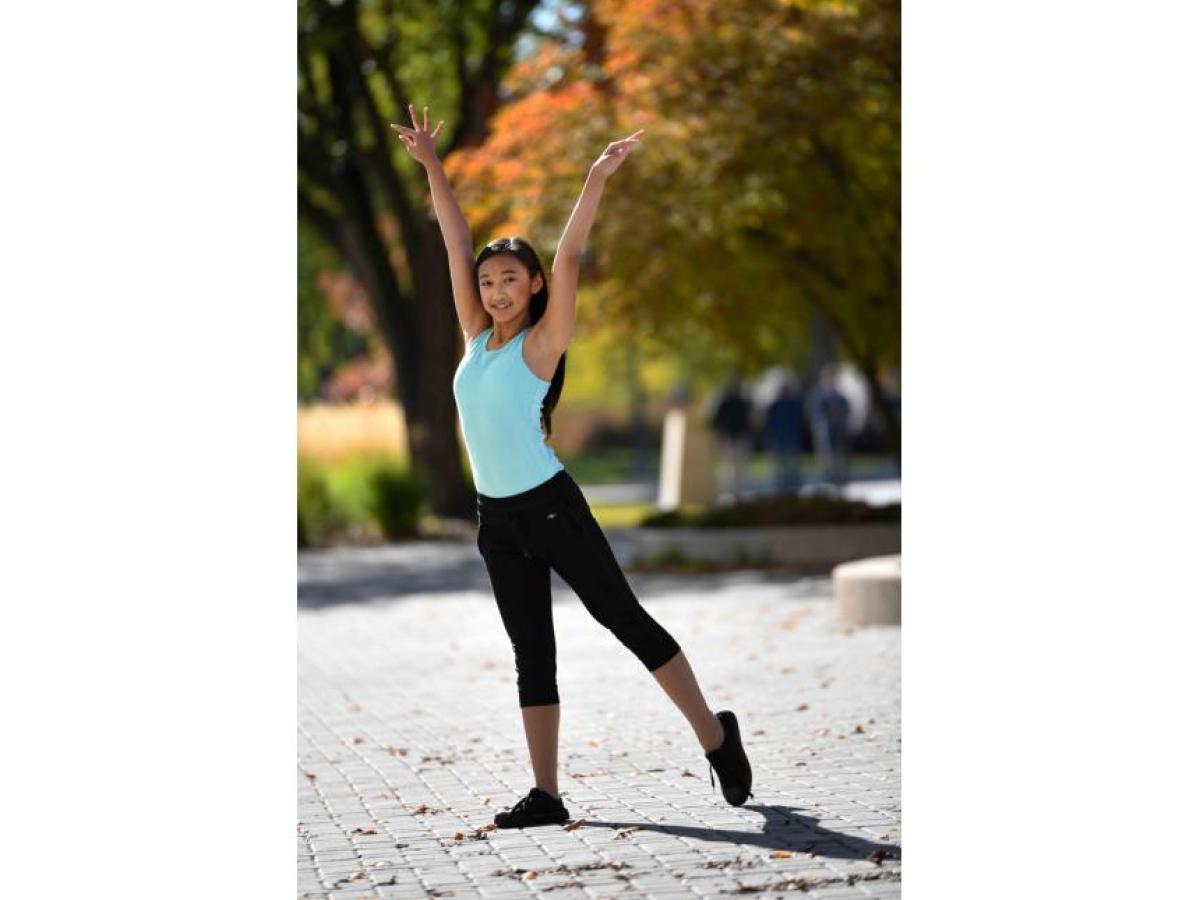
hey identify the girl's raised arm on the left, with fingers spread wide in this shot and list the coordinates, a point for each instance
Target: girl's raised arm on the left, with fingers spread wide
(455, 231)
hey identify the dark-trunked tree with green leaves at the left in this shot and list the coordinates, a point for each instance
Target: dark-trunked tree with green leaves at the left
(361, 64)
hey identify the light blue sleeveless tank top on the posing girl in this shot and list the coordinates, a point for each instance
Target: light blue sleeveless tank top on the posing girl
(500, 406)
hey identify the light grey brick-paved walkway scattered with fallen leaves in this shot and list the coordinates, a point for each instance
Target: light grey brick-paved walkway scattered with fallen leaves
(411, 741)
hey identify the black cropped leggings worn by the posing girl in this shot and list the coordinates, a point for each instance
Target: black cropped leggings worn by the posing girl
(521, 539)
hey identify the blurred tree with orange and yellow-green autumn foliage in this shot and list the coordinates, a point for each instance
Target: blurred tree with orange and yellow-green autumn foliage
(766, 190)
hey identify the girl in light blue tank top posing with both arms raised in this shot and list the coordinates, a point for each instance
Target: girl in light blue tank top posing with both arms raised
(533, 518)
